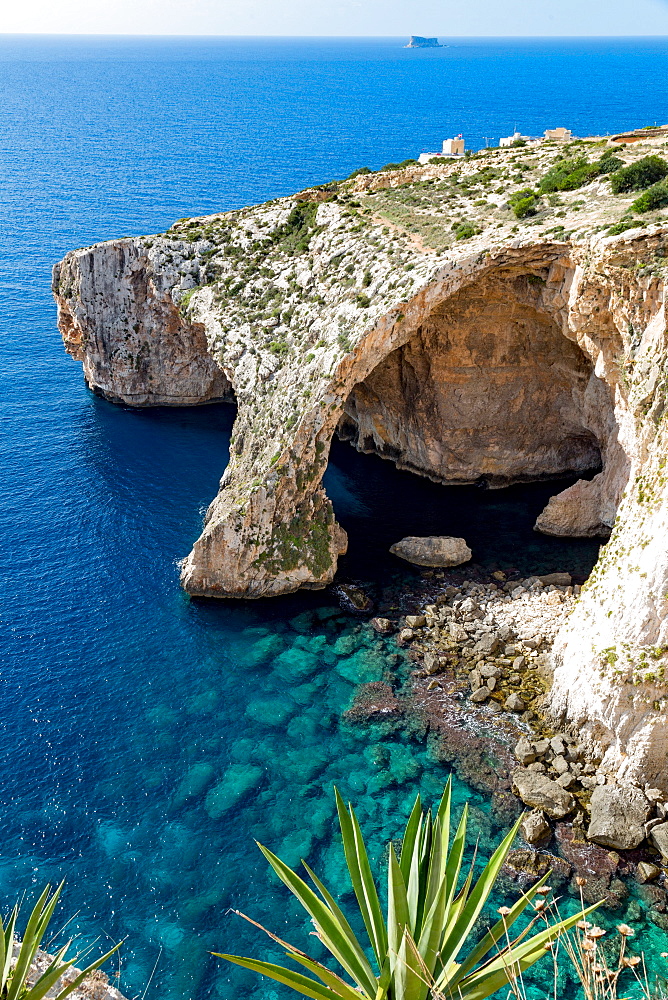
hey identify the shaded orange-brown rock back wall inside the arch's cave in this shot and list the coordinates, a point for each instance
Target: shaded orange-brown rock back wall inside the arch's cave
(487, 389)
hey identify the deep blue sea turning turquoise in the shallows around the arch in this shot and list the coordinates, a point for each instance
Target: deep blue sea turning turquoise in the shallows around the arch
(145, 738)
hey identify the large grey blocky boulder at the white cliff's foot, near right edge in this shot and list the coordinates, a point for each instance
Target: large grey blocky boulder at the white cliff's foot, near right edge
(618, 815)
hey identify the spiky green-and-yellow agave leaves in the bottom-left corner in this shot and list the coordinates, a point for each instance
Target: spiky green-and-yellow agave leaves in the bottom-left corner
(17, 955)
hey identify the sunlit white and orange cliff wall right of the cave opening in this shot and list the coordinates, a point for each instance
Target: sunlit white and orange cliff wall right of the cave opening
(610, 663)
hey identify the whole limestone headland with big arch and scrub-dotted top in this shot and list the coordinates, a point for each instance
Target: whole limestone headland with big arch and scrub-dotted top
(503, 353)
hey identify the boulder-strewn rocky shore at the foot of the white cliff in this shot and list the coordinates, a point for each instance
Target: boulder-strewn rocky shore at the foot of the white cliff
(480, 656)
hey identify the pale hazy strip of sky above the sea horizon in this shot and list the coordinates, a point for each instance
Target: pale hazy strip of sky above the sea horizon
(443, 18)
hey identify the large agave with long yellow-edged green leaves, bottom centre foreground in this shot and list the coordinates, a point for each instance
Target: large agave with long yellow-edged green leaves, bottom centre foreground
(417, 948)
